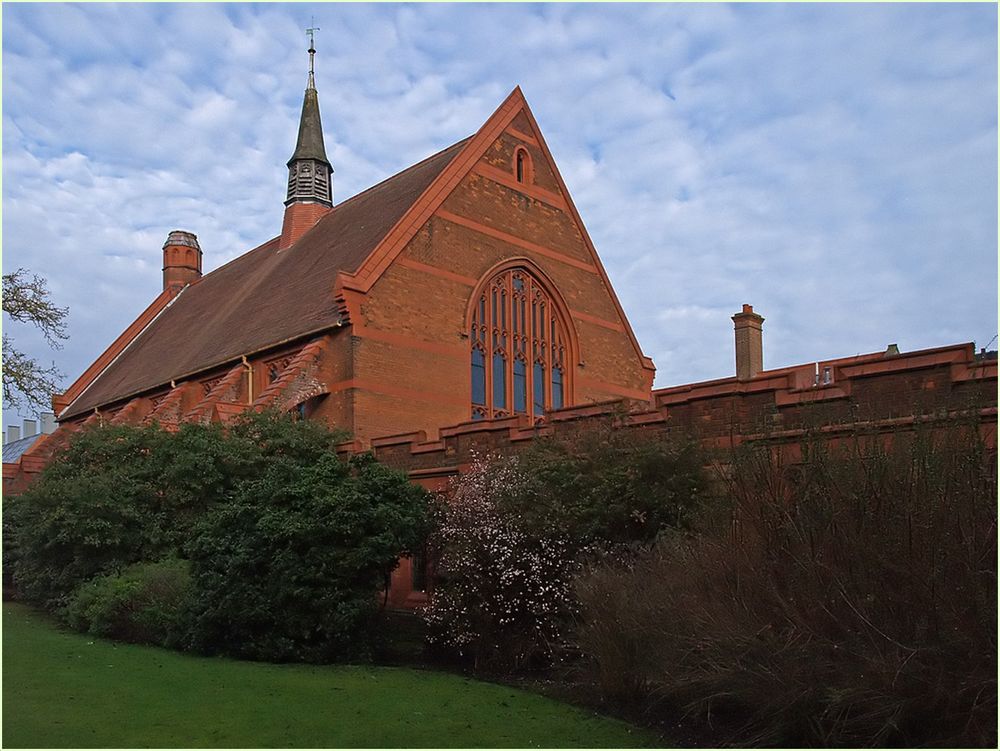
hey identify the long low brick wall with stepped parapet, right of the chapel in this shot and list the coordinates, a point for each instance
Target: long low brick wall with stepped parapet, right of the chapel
(873, 391)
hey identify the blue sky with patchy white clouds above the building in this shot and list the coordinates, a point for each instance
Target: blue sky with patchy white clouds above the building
(833, 165)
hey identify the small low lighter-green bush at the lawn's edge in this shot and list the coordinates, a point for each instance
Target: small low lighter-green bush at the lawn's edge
(143, 604)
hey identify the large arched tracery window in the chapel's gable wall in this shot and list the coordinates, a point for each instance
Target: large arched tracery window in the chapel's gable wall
(520, 351)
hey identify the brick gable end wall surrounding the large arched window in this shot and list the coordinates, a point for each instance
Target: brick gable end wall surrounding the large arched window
(411, 352)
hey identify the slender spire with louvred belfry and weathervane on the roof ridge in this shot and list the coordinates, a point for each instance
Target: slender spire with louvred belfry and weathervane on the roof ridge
(310, 174)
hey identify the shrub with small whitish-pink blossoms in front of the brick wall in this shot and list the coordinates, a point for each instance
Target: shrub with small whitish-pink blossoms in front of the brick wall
(503, 595)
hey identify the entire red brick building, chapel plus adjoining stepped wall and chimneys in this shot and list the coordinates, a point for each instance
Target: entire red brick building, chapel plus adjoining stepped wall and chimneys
(460, 300)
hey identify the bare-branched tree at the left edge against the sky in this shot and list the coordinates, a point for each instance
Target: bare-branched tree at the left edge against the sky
(26, 300)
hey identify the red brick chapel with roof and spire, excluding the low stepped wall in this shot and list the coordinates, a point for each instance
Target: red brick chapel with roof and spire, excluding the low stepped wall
(463, 288)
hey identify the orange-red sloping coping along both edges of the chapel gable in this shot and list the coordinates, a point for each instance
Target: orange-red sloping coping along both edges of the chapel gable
(513, 116)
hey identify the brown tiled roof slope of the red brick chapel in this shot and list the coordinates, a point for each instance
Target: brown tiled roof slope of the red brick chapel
(263, 297)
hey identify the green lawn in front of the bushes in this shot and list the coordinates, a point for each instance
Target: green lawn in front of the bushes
(64, 689)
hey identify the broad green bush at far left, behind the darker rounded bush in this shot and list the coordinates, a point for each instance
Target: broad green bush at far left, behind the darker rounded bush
(119, 495)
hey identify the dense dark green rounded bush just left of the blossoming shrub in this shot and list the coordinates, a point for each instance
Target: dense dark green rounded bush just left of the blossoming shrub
(289, 567)
